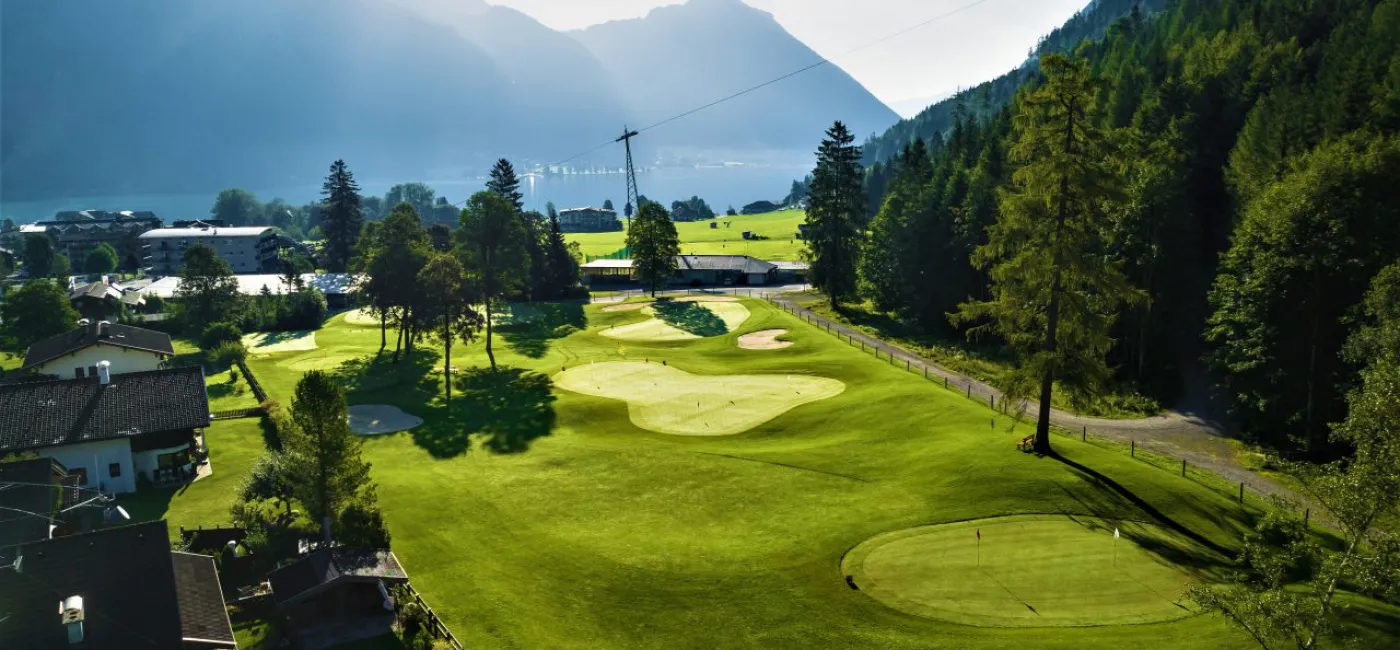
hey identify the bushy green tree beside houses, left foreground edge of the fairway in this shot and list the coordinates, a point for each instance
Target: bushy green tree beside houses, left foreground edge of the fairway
(323, 457)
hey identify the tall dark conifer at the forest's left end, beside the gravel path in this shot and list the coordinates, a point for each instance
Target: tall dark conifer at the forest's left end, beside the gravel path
(836, 216)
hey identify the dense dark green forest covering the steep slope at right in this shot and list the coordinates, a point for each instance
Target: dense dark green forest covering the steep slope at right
(1254, 149)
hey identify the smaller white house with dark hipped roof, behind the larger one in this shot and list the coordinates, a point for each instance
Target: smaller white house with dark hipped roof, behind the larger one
(76, 354)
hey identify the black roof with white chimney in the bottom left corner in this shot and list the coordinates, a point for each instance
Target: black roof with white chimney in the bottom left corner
(125, 578)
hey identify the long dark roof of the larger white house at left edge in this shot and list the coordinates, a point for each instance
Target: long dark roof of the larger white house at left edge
(45, 414)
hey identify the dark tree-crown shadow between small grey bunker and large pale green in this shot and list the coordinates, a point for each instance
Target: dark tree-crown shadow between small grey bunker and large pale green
(509, 408)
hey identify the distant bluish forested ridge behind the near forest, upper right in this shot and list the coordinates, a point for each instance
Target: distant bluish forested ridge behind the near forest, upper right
(989, 97)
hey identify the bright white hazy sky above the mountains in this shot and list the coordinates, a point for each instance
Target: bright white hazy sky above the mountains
(933, 61)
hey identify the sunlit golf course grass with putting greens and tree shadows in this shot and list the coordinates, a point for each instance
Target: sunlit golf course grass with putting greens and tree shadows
(538, 516)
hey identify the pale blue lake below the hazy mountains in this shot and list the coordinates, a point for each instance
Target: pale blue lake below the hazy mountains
(722, 187)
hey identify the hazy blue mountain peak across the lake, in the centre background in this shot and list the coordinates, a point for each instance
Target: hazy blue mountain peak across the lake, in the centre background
(684, 57)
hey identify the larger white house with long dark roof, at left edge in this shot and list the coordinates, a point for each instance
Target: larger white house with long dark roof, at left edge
(111, 428)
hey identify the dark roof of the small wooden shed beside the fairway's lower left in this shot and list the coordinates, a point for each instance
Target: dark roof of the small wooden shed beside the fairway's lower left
(327, 568)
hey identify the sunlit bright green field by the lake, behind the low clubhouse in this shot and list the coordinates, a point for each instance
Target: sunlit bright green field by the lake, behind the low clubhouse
(699, 239)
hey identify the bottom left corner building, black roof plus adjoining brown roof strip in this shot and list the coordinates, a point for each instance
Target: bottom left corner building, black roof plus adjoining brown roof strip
(117, 589)
